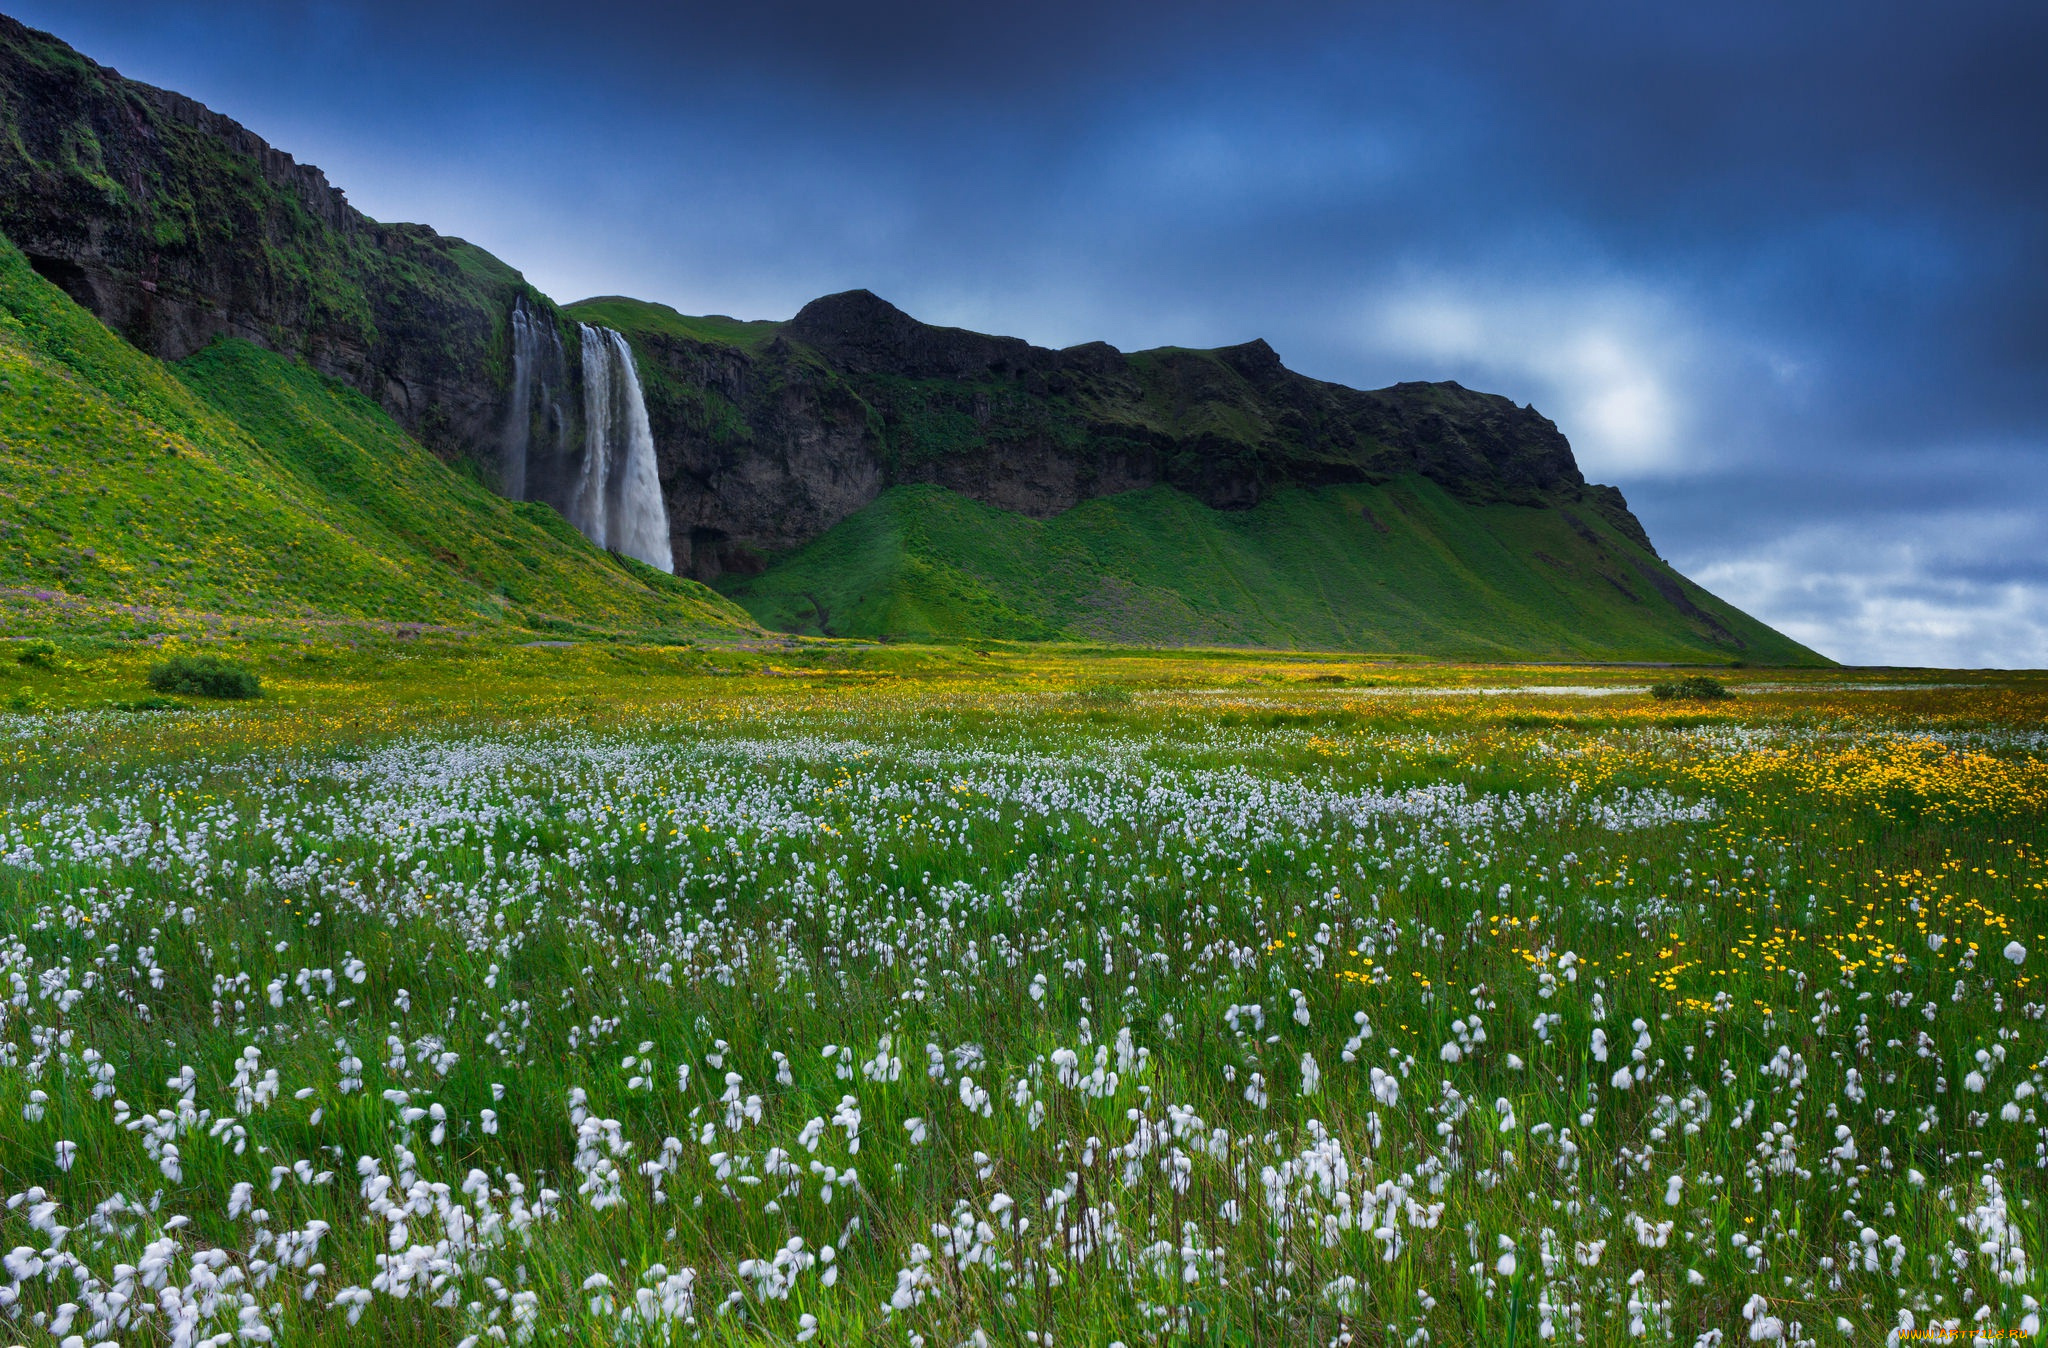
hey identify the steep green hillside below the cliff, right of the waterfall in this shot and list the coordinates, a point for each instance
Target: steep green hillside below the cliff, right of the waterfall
(1377, 568)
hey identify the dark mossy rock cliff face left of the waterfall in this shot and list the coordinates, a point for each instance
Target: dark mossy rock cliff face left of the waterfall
(175, 226)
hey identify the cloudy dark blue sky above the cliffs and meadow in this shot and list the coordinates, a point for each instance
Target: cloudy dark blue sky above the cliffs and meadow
(1781, 271)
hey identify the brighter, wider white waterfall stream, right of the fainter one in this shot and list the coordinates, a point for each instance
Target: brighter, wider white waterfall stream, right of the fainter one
(617, 497)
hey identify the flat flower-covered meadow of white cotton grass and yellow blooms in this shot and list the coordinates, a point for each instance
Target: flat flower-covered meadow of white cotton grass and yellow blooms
(835, 995)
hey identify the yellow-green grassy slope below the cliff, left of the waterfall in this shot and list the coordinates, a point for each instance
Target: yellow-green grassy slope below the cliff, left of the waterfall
(239, 482)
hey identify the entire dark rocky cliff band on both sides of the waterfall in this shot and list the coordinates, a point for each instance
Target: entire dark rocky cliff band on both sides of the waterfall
(177, 226)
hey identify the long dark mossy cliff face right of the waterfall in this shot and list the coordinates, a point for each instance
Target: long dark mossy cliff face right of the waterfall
(773, 433)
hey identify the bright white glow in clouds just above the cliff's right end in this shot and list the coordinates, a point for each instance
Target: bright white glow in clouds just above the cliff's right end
(1601, 366)
